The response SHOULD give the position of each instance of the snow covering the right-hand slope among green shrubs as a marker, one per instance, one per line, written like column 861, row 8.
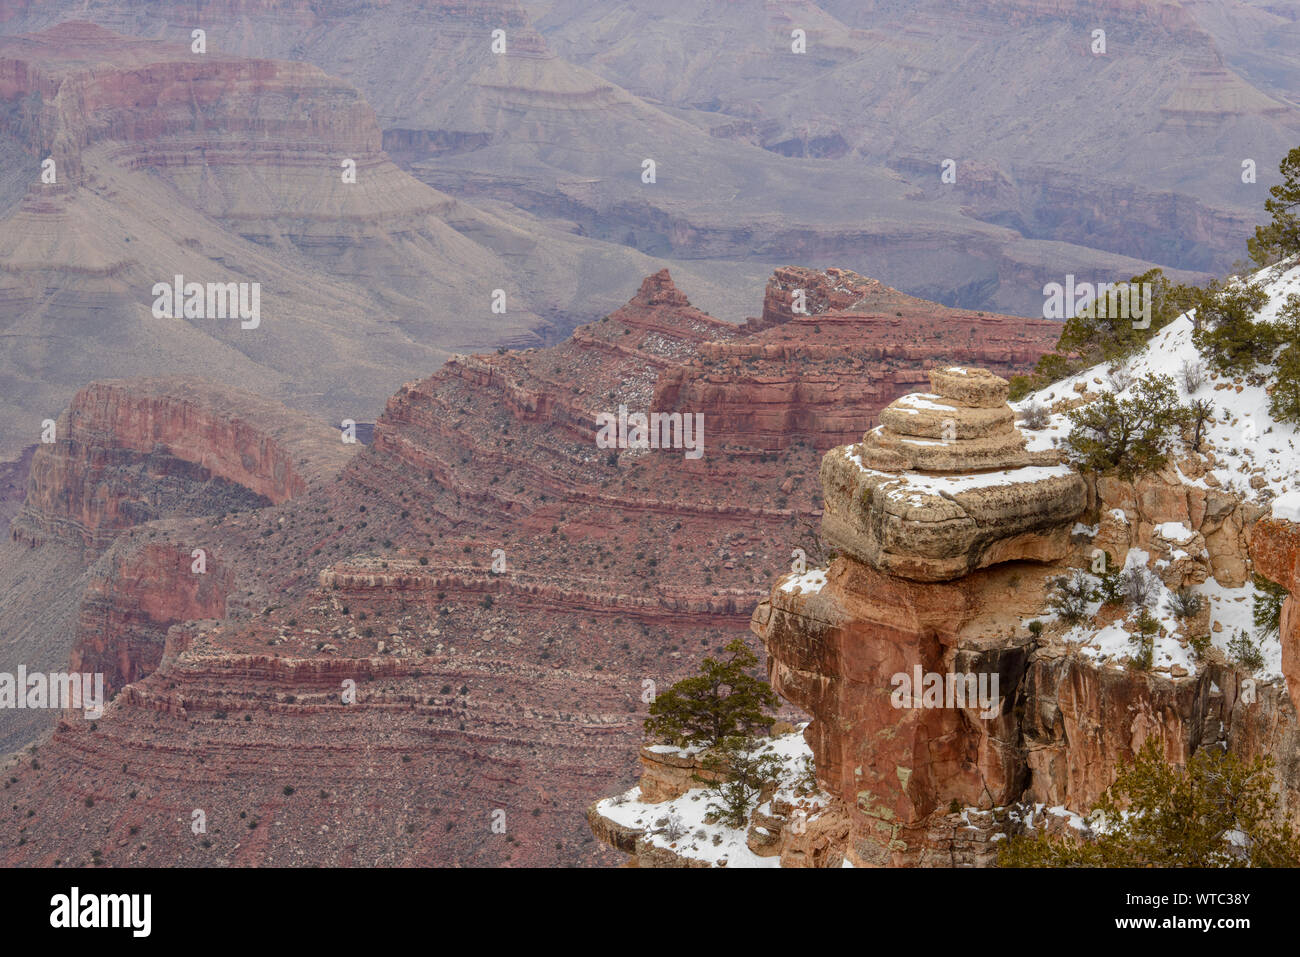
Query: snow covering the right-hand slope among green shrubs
column 1243, row 438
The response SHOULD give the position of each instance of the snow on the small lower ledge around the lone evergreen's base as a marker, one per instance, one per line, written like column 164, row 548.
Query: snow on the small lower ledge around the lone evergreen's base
column 716, row 843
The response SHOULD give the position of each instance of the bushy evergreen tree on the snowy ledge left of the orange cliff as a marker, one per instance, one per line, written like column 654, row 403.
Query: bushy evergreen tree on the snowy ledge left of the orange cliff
column 723, row 701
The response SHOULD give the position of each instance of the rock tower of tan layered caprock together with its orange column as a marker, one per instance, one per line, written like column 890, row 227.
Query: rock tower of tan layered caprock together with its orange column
column 905, row 600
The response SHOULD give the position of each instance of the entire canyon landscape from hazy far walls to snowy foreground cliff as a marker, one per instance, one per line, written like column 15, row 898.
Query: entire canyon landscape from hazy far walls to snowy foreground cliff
column 437, row 646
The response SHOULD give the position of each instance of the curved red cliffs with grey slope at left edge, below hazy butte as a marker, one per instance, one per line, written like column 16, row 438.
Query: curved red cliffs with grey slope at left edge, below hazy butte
column 76, row 579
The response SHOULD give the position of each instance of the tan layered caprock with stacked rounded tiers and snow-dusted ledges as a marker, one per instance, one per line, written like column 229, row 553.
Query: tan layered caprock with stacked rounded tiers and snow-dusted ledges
column 946, row 486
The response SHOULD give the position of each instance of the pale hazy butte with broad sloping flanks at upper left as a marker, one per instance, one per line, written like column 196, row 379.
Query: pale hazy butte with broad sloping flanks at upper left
column 129, row 162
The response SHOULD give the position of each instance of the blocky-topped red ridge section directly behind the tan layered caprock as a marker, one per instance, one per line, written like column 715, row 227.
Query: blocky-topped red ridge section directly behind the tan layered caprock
column 825, row 378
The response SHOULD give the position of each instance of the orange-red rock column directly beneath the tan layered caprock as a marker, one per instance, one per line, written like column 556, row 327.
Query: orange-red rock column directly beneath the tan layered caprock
column 835, row 653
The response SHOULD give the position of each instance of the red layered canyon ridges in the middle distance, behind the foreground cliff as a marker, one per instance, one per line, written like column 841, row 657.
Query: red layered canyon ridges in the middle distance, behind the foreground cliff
column 392, row 643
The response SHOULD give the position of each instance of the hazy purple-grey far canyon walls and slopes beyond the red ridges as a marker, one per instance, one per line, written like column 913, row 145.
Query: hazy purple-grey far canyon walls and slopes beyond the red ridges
column 476, row 174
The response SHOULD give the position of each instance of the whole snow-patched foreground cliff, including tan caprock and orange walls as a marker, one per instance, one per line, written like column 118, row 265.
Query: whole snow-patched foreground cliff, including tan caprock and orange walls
column 954, row 699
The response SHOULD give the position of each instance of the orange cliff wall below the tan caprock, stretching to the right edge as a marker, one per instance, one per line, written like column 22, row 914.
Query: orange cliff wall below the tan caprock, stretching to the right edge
column 1063, row 721
